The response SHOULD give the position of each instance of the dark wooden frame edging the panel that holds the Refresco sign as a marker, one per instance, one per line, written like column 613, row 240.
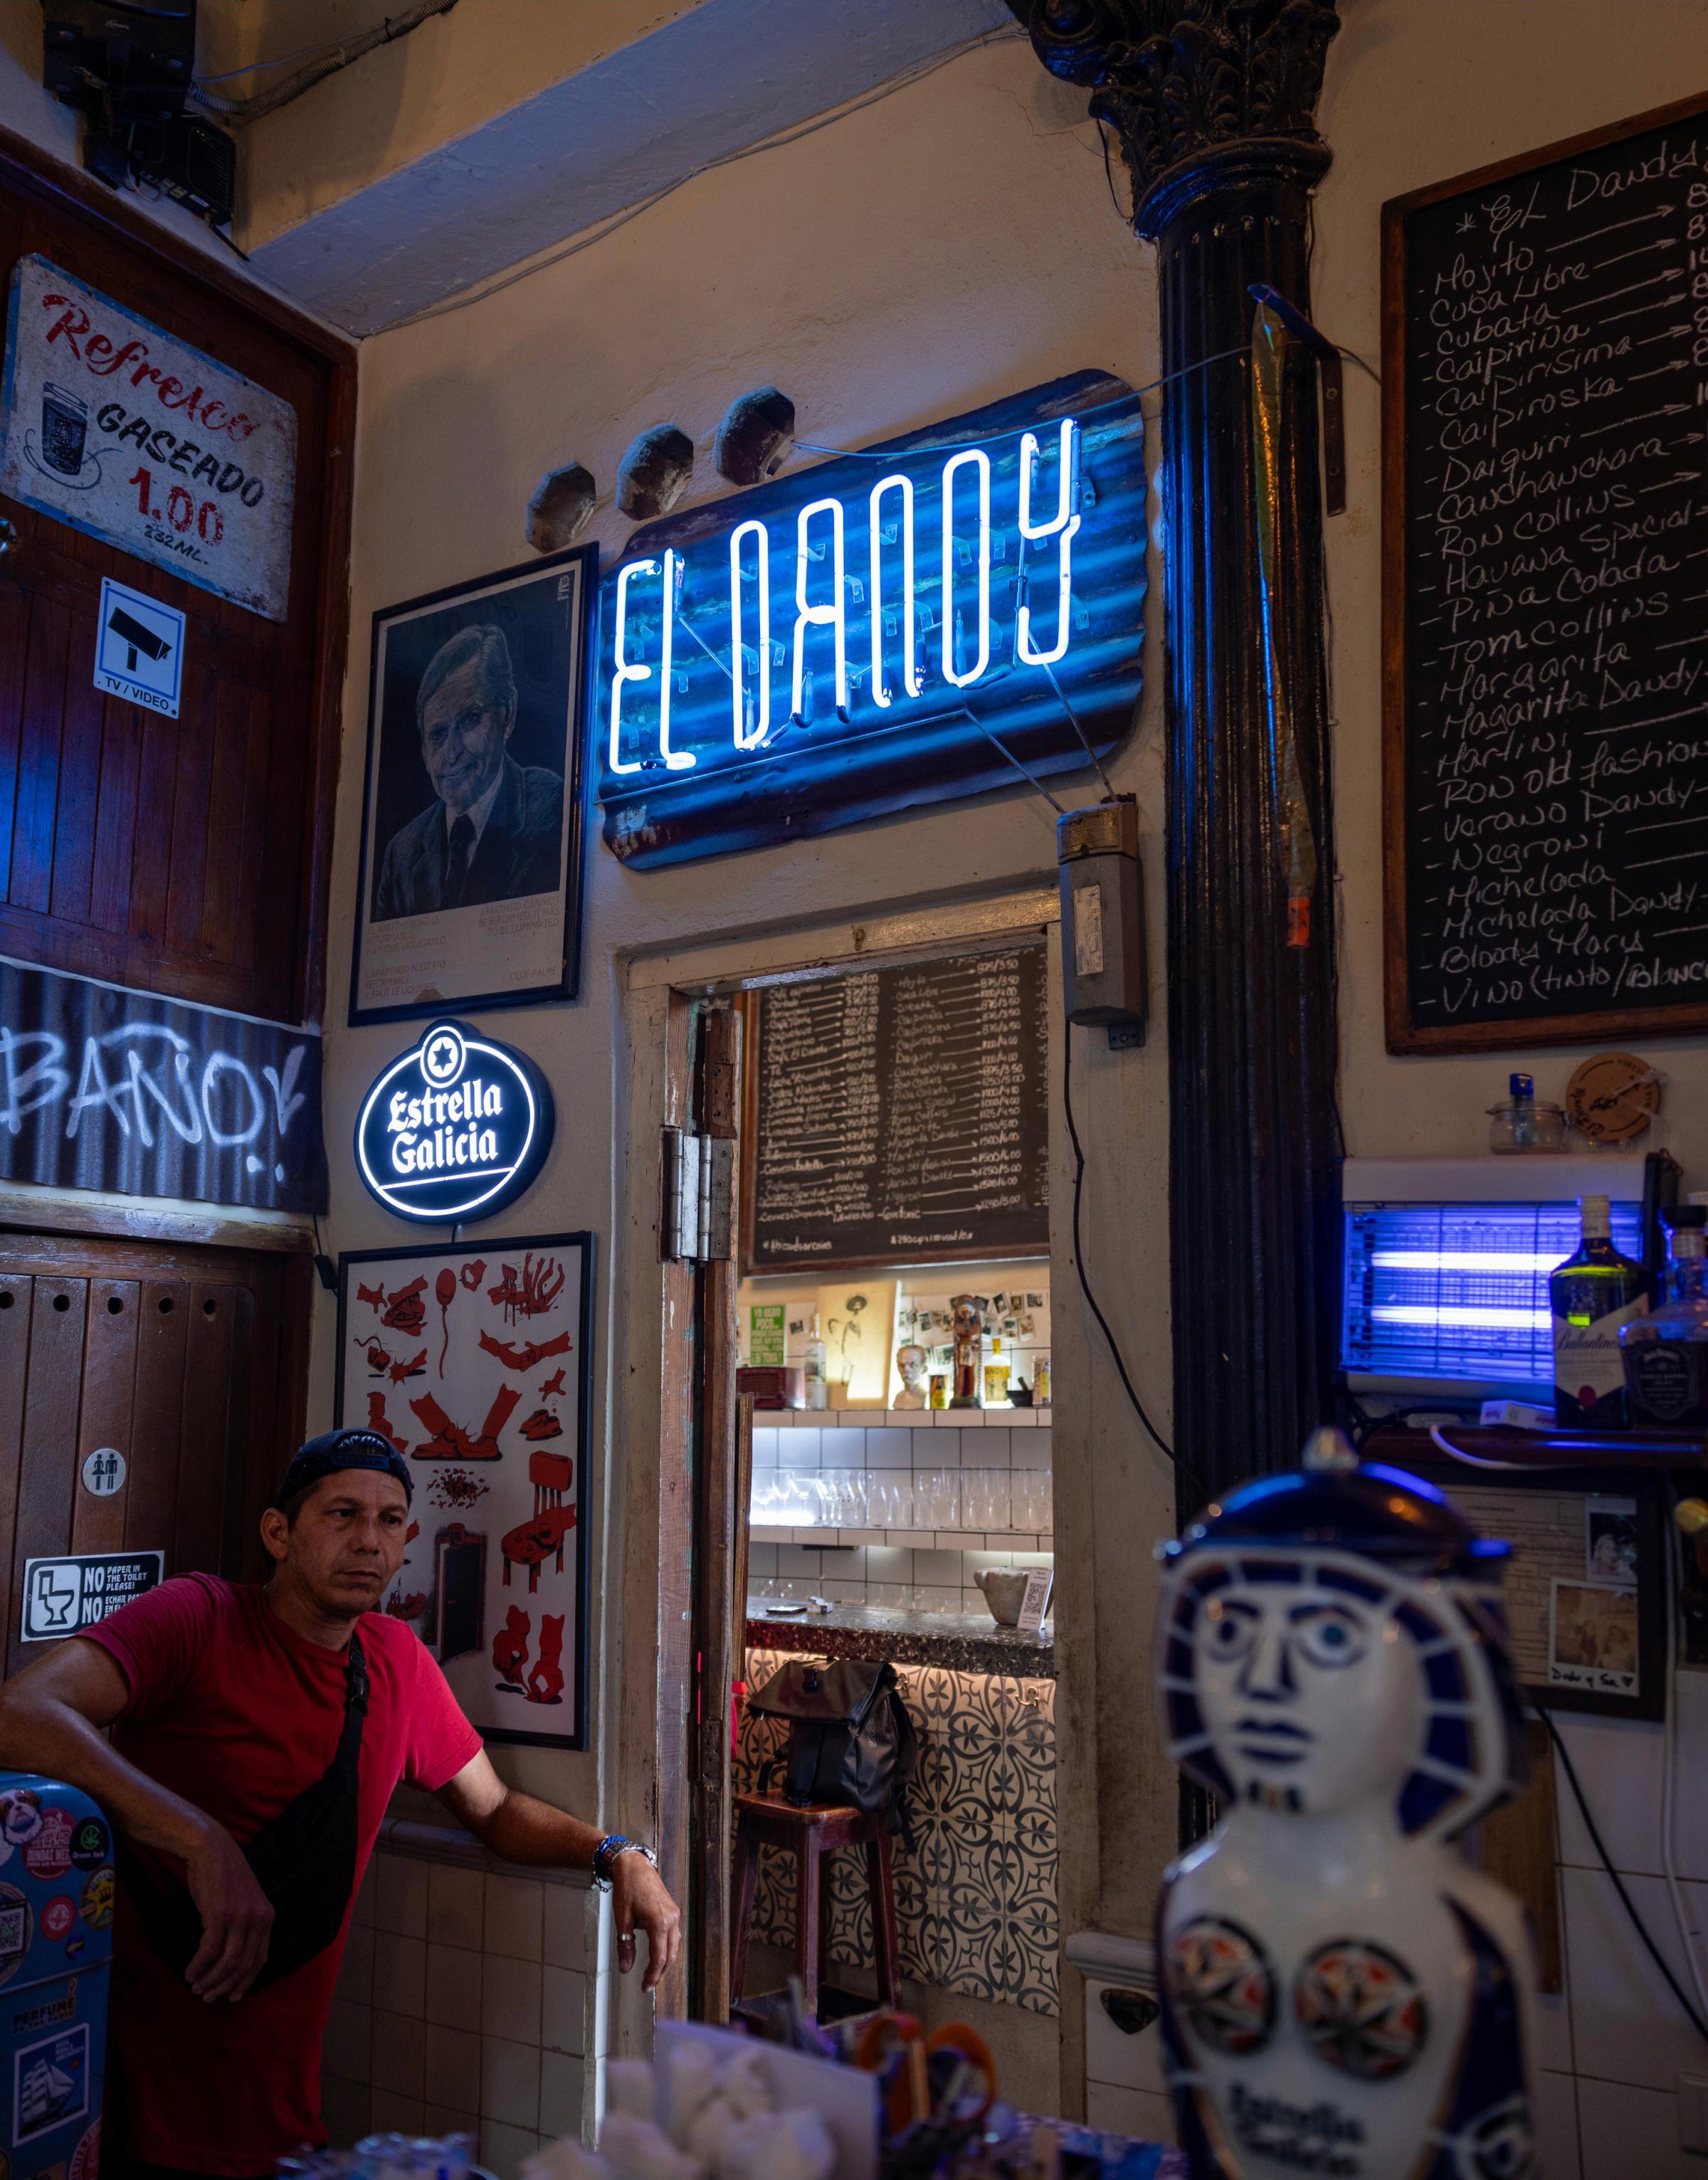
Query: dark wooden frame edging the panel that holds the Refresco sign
column 47, row 182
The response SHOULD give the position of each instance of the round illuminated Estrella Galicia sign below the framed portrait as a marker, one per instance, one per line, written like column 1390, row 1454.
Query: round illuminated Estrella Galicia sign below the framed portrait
column 456, row 1128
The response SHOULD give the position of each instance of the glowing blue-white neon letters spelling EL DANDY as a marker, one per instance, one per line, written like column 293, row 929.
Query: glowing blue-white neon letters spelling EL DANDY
column 881, row 581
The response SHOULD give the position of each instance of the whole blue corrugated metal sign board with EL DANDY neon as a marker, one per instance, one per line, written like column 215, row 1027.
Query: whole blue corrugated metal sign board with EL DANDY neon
column 879, row 631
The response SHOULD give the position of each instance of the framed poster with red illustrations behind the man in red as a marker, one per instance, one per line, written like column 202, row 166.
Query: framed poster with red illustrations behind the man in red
column 474, row 1361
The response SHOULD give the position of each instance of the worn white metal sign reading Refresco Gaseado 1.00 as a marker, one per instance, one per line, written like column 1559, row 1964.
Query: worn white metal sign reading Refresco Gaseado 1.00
column 143, row 441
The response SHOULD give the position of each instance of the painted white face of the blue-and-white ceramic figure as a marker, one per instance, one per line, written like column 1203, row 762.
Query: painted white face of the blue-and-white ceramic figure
column 1313, row 1699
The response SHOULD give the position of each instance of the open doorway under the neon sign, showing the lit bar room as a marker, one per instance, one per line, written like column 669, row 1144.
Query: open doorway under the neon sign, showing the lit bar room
column 879, row 1521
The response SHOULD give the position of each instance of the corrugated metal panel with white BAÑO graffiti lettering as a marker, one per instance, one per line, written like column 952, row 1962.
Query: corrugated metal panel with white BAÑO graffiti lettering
column 154, row 1098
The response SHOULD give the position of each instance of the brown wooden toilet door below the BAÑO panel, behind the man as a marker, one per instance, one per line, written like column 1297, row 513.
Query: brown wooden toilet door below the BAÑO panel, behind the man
column 186, row 1361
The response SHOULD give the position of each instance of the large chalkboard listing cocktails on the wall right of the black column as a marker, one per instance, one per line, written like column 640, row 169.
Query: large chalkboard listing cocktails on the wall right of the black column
column 1546, row 594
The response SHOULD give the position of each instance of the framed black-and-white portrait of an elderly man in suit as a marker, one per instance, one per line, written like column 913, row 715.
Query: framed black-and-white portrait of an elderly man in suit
column 474, row 812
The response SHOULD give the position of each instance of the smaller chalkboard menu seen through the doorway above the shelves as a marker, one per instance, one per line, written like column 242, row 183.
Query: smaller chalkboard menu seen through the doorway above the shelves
column 901, row 1117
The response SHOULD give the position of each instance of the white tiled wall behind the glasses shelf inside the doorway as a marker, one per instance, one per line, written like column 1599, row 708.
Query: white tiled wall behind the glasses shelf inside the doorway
column 899, row 1566
